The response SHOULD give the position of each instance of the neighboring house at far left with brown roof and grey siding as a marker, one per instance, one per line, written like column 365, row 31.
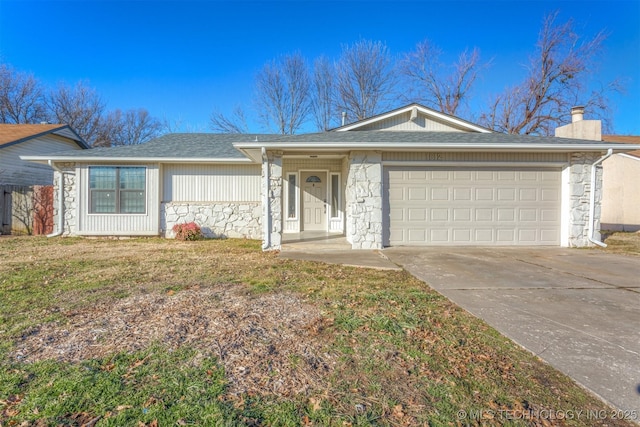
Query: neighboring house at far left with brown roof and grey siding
column 33, row 140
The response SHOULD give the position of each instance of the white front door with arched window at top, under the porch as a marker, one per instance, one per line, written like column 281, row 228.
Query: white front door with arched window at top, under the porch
column 314, row 201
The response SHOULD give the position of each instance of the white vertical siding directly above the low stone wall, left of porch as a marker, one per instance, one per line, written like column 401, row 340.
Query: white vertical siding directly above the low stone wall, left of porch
column 211, row 183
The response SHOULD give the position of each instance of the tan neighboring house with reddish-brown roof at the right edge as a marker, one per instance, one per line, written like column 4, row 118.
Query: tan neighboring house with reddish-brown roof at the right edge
column 621, row 181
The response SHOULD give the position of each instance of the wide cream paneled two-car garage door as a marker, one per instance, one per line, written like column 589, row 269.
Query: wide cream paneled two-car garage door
column 435, row 206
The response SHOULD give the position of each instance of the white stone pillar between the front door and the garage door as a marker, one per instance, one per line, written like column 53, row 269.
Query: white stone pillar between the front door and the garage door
column 364, row 200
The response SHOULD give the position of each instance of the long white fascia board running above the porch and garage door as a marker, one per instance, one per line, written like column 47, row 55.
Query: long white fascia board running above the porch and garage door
column 516, row 147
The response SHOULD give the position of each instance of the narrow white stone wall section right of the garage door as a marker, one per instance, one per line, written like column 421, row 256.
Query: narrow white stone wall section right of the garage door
column 579, row 193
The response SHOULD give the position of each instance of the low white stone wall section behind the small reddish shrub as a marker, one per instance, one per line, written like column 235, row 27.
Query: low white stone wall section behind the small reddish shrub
column 216, row 220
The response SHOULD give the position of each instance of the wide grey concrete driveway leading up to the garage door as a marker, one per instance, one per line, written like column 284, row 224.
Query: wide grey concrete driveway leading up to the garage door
column 577, row 309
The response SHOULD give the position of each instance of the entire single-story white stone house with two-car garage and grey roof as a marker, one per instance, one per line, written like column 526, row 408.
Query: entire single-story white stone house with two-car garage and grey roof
column 412, row 176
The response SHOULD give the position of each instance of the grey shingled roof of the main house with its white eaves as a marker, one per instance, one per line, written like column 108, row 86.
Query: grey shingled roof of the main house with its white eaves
column 202, row 147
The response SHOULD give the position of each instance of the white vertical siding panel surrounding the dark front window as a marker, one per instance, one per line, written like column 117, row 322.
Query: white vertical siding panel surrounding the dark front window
column 118, row 224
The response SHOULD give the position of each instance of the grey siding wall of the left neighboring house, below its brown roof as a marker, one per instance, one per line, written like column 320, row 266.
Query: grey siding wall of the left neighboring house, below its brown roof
column 15, row 171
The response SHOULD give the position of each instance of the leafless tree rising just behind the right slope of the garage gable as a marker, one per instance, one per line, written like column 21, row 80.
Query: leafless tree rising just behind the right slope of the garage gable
column 435, row 84
